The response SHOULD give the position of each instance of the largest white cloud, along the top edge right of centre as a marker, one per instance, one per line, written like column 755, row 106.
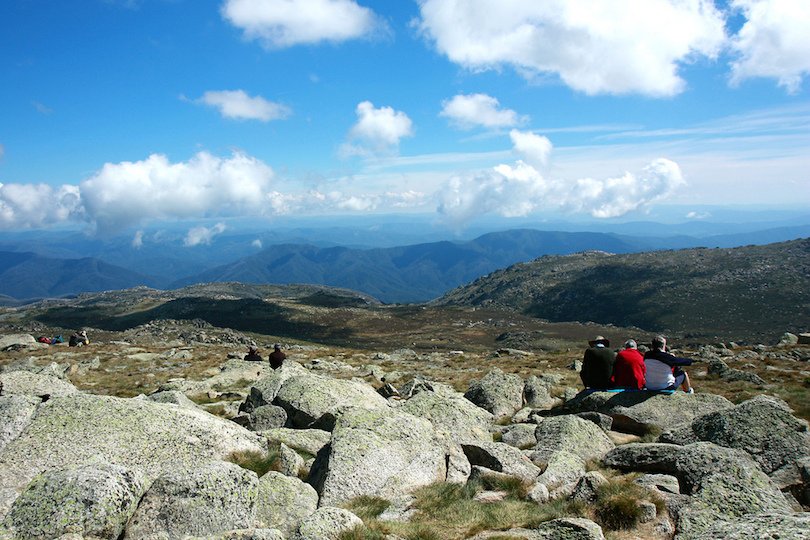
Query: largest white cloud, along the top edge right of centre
column 617, row 47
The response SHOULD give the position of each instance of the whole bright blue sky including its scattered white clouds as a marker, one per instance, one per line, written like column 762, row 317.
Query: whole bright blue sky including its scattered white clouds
column 119, row 113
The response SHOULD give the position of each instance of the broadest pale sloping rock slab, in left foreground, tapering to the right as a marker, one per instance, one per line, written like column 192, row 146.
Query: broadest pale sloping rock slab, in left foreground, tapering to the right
column 81, row 429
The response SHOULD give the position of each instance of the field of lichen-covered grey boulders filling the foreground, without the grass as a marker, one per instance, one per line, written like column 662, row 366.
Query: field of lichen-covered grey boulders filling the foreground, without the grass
column 78, row 466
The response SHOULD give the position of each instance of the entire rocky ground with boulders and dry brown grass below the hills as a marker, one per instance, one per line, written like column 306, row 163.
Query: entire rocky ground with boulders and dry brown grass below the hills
column 163, row 431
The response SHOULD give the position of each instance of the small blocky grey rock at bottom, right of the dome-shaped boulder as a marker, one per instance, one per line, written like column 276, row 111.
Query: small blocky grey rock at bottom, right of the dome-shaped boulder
column 283, row 502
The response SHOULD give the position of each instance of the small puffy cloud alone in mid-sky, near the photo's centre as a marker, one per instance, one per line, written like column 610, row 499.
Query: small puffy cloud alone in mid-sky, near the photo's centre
column 377, row 130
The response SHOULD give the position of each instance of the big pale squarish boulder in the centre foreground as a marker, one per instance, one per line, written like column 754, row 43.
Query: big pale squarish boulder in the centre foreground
column 378, row 452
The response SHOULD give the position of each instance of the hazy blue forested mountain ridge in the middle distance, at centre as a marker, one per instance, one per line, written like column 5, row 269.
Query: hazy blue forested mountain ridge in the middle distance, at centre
column 408, row 273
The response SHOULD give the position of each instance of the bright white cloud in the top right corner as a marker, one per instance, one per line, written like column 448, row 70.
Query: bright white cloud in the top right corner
column 774, row 42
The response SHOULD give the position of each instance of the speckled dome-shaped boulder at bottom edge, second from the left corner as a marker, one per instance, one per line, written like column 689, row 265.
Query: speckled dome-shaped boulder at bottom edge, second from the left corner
column 208, row 498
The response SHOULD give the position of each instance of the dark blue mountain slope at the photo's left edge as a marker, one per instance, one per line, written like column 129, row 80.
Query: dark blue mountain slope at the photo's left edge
column 26, row 275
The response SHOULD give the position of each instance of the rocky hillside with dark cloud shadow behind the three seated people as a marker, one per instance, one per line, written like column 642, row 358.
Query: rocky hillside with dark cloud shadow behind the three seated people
column 754, row 291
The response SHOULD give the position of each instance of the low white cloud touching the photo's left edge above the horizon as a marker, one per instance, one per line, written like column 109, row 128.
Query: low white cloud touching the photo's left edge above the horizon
column 38, row 205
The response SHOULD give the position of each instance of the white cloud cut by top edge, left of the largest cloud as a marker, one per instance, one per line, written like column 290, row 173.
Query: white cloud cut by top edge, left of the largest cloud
column 284, row 23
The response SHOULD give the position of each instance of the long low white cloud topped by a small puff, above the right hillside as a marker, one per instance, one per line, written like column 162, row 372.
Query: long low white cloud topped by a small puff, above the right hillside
column 519, row 189
